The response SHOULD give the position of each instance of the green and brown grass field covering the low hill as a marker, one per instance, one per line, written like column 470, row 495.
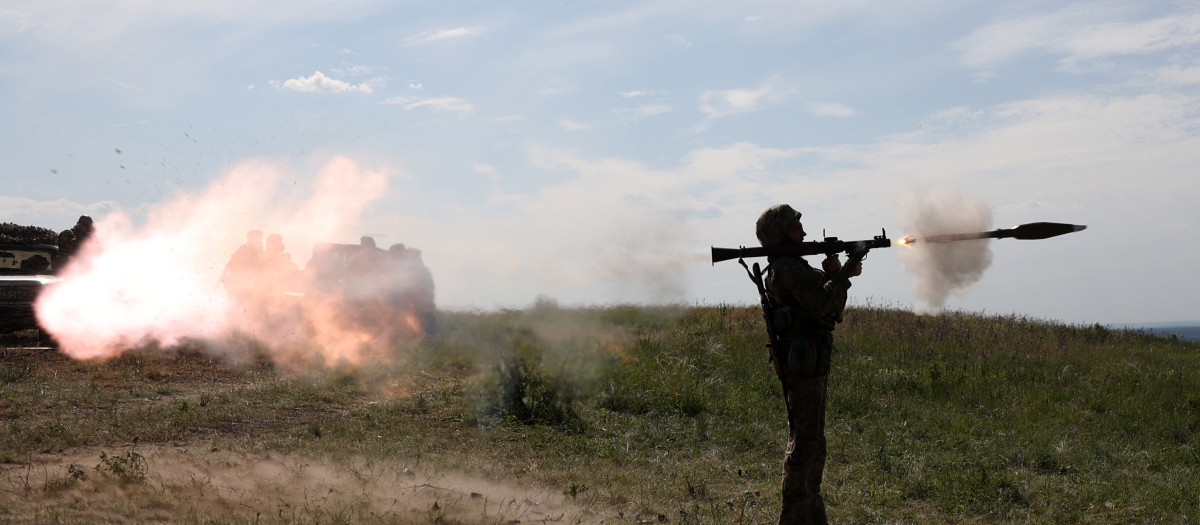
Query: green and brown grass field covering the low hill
column 616, row 415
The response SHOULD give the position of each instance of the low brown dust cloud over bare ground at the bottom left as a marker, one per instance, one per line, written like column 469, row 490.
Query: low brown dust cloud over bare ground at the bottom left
column 182, row 484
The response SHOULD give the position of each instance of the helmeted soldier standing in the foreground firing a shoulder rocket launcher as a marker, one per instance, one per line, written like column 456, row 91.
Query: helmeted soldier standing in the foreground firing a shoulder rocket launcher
column 809, row 304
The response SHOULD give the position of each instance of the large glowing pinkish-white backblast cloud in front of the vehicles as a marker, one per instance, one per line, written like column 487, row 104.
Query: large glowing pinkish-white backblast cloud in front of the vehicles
column 159, row 283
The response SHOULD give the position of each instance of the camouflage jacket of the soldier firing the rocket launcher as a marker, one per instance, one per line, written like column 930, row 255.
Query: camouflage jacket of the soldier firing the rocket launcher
column 806, row 300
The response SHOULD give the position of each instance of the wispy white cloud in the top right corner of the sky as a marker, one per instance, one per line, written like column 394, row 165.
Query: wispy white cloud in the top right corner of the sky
column 1079, row 34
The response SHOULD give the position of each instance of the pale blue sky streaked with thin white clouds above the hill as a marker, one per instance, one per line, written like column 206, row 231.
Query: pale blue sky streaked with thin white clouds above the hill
column 592, row 153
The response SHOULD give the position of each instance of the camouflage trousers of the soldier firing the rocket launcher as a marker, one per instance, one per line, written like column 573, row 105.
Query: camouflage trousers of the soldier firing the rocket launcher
column 805, row 461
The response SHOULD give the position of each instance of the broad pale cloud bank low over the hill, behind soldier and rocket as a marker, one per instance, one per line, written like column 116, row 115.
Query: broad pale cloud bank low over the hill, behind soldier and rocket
column 1109, row 162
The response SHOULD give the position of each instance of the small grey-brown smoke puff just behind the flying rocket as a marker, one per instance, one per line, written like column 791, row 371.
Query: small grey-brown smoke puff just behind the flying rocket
column 943, row 269
